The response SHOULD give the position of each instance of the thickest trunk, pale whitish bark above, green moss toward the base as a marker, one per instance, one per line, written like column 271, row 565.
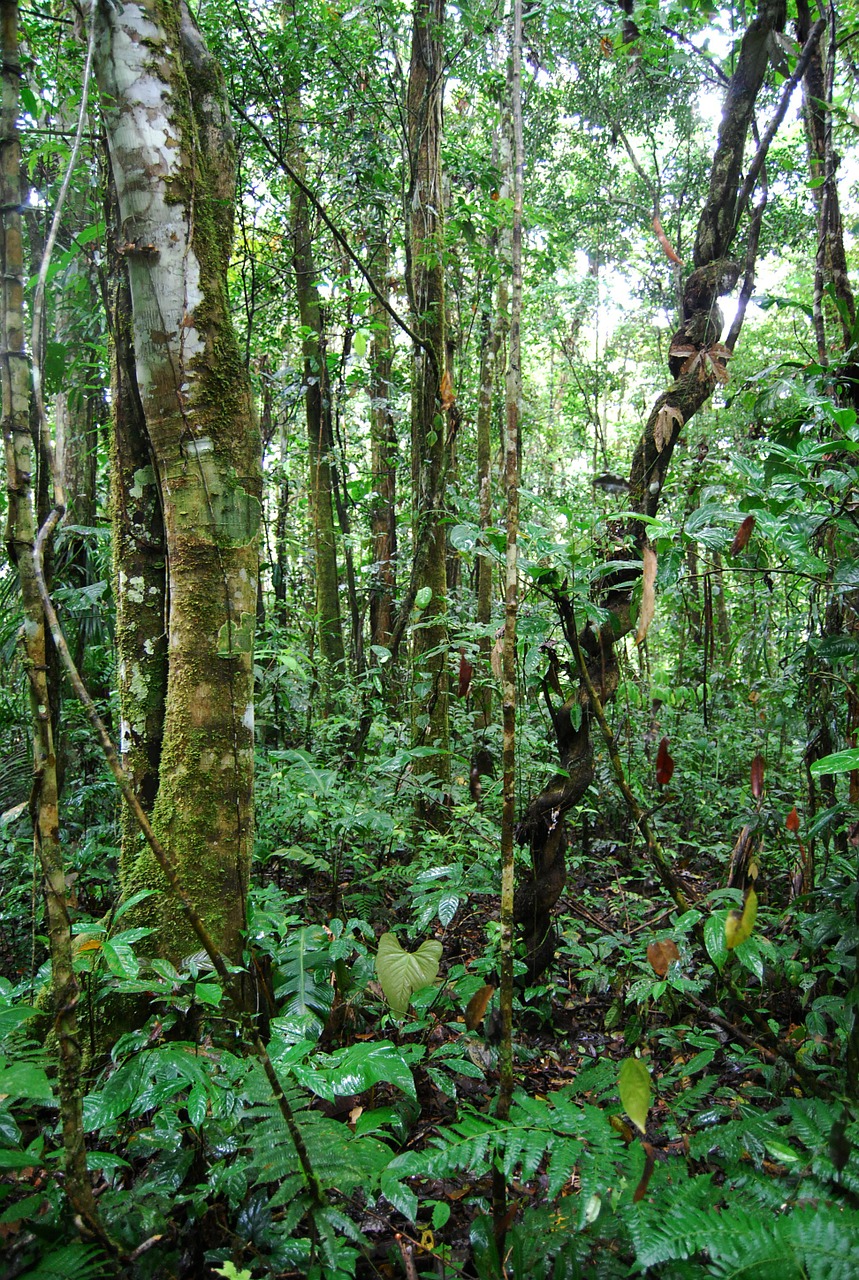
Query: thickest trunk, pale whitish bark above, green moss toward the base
column 172, row 158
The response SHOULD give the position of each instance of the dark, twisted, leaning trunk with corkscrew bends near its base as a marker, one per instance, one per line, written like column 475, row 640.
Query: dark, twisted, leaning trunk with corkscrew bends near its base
column 543, row 825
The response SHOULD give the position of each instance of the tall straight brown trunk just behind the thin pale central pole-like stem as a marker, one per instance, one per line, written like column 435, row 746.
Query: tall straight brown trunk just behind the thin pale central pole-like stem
column 429, row 400
